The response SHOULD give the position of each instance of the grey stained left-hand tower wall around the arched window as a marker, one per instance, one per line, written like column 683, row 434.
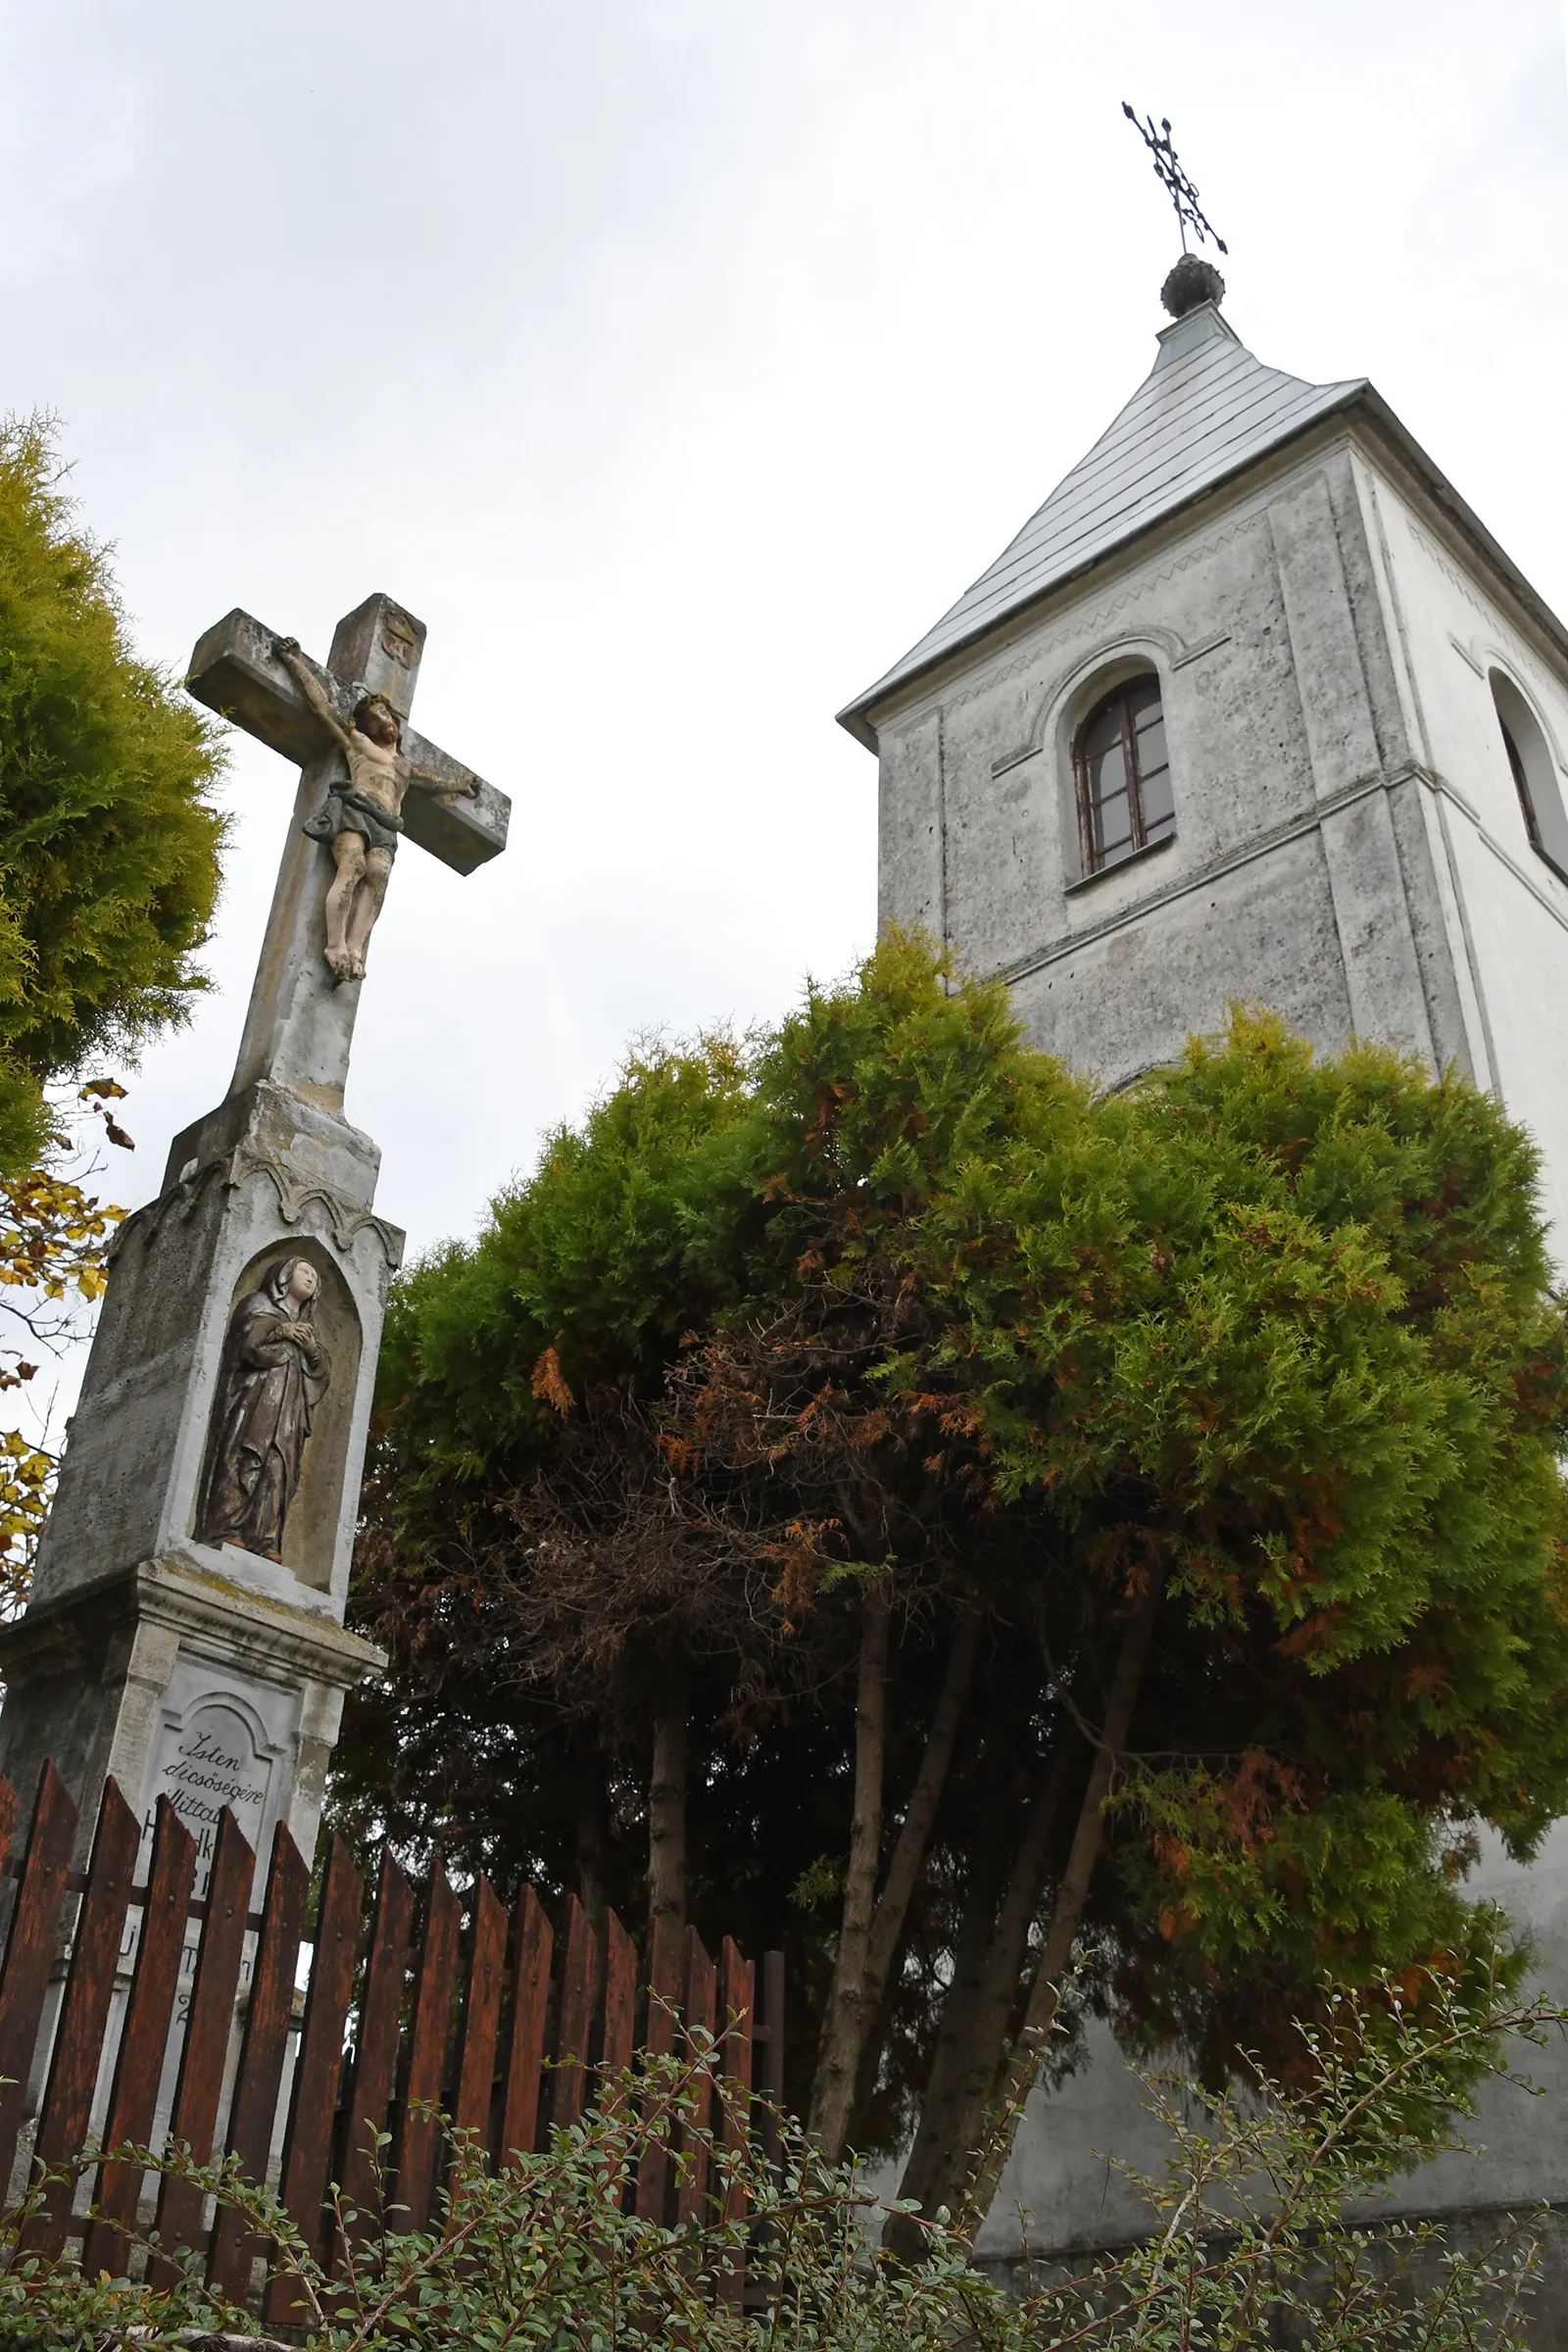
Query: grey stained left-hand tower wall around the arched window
column 1301, row 874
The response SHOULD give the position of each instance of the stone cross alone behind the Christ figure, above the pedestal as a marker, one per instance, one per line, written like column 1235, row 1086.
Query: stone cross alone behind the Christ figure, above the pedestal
column 300, row 1022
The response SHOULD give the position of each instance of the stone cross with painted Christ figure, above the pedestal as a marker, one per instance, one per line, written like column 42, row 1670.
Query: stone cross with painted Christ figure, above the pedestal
column 366, row 782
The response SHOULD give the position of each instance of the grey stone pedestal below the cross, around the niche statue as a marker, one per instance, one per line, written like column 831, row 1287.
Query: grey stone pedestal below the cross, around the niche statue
column 201, row 1671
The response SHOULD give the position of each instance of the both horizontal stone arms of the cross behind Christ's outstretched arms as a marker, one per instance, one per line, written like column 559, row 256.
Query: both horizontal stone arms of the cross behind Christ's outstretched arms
column 236, row 674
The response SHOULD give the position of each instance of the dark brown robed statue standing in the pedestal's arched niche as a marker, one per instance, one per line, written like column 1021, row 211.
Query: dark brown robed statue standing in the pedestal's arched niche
column 272, row 1384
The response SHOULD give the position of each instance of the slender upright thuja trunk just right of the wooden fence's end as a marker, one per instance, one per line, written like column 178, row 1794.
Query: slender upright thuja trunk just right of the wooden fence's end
column 847, row 2010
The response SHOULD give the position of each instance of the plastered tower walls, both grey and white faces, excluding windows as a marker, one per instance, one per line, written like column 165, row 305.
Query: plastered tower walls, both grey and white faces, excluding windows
column 1348, row 850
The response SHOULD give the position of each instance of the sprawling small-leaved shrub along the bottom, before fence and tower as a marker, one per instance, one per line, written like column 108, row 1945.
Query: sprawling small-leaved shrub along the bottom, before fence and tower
column 1254, row 2236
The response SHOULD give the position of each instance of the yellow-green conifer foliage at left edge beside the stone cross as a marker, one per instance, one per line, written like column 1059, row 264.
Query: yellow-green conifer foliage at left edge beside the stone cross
column 107, row 846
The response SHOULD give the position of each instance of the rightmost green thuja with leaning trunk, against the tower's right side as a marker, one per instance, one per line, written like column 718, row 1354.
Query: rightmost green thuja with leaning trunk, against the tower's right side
column 1294, row 1384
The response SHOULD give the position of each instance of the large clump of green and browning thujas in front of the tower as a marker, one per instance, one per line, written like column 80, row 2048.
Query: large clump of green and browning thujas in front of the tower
column 991, row 1530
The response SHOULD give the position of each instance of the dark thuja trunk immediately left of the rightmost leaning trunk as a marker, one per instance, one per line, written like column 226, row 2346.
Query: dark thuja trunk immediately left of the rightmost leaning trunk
column 970, row 2054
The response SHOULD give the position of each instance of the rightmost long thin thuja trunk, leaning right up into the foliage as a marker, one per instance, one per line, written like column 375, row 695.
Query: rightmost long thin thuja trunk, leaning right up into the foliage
column 1066, row 1920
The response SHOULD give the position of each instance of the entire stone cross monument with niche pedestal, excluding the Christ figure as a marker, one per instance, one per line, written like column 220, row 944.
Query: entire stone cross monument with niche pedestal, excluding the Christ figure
column 187, row 1622
